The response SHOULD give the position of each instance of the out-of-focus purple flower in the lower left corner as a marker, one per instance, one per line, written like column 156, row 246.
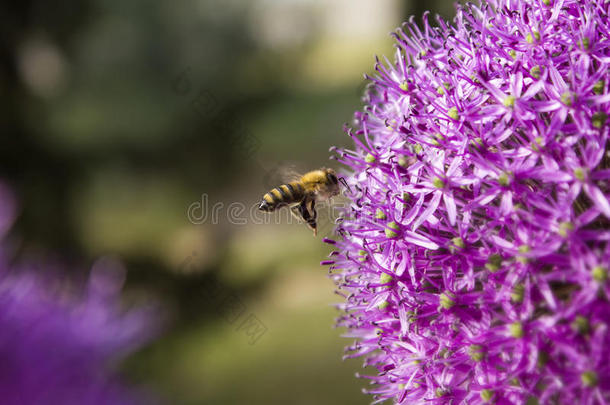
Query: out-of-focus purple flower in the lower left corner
column 59, row 348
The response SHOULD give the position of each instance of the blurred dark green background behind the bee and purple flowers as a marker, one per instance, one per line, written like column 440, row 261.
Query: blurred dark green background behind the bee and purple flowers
column 117, row 116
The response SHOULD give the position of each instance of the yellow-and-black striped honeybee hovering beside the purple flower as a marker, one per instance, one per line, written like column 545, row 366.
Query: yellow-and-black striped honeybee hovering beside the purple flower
column 301, row 195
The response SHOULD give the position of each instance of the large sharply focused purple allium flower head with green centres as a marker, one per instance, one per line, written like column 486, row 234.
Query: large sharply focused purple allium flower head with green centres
column 474, row 259
